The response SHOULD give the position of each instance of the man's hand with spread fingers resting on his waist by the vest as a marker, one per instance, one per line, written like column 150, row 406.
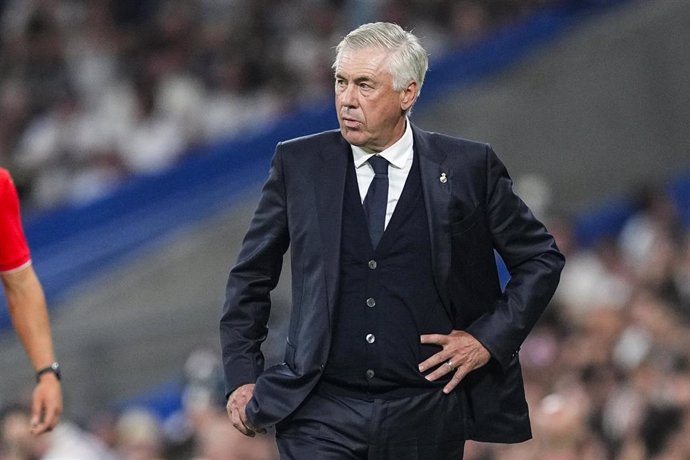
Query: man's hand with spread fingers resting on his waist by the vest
column 461, row 353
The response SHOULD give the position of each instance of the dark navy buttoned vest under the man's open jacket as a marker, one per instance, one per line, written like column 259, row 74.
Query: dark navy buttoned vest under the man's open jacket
column 387, row 299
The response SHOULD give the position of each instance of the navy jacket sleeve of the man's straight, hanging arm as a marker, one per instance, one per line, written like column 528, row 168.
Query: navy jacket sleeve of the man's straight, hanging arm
column 243, row 324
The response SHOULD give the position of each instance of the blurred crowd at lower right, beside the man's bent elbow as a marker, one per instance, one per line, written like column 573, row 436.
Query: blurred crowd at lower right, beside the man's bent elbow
column 608, row 367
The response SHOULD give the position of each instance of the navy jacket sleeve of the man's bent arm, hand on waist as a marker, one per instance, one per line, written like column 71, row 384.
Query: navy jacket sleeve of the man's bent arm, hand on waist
column 532, row 259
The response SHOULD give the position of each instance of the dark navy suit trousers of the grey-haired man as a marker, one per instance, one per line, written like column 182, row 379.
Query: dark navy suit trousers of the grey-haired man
column 329, row 426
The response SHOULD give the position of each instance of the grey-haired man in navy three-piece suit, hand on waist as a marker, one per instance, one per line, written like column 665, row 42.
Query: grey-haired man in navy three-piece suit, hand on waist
column 401, row 343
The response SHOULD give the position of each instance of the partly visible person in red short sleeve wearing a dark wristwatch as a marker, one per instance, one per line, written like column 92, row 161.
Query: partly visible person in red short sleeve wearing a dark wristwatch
column 27, row 307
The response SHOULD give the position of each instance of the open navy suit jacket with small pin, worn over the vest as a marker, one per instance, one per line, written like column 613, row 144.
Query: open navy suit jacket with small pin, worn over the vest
column 472, row 211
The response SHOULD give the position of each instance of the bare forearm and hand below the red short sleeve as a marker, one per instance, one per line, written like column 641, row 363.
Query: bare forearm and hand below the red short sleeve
column 27, row 307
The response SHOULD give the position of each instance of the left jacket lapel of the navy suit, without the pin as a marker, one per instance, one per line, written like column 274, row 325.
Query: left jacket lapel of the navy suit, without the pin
column 329, row 188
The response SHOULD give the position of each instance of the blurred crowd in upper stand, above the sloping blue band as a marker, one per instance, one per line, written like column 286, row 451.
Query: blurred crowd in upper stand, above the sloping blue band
column 93, row 91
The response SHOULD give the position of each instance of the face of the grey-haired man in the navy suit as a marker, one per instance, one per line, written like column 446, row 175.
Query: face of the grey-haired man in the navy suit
column 370, row 112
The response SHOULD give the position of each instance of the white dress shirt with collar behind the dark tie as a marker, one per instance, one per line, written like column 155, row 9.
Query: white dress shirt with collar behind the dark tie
column 399, row 156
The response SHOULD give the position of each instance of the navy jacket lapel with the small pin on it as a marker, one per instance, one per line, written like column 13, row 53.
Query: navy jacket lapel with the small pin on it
column 436, row 180
